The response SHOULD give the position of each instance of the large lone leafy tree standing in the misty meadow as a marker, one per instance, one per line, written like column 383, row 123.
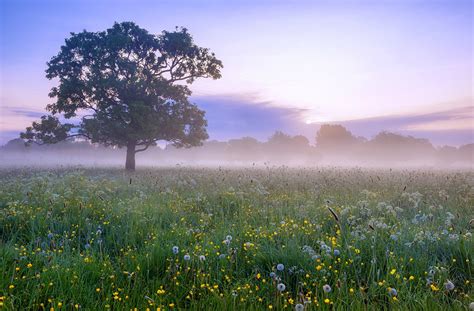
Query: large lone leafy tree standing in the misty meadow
column 129, row 88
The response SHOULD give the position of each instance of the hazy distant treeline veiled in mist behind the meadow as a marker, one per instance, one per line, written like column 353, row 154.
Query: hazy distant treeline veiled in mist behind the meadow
column 333, row 145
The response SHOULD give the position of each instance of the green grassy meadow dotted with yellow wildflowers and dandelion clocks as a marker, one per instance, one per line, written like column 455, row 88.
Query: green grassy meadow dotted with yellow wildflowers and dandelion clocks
column 239, row 239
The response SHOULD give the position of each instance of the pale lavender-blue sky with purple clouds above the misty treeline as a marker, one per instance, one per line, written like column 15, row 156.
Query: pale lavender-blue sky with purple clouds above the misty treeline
column 404, row 66
